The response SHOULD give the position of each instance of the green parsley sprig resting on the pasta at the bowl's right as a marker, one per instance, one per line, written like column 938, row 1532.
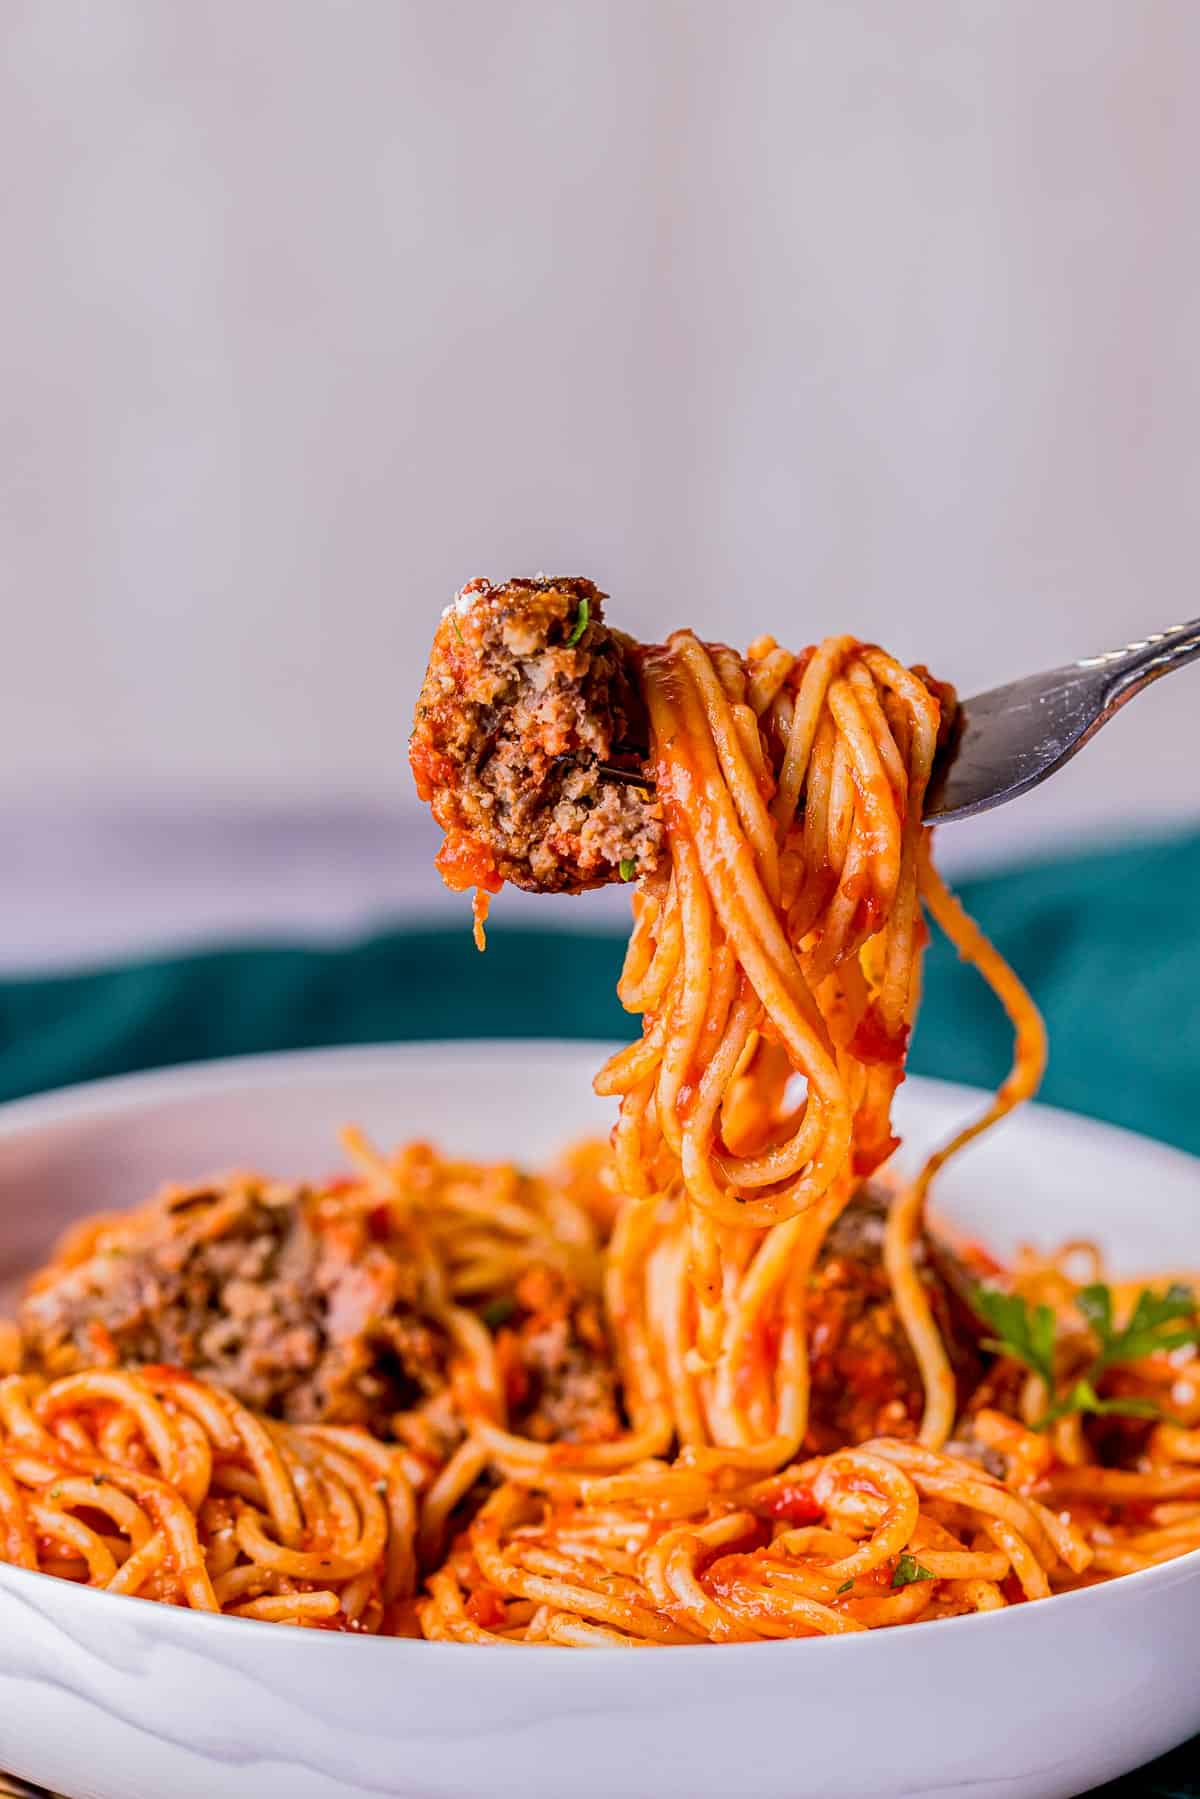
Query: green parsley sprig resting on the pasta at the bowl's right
column 1026, row 1334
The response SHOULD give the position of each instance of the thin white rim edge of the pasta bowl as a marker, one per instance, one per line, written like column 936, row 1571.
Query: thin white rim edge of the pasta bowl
column 120, row 1095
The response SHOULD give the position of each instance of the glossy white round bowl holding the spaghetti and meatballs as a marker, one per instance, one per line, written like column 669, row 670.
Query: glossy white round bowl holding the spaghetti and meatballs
column 120, row 1699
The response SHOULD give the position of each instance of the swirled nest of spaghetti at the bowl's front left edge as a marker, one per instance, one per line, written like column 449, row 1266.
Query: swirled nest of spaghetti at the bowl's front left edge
column 161, row 1487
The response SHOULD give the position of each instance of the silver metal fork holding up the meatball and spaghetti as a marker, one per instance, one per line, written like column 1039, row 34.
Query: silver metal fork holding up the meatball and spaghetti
column 1014, row 738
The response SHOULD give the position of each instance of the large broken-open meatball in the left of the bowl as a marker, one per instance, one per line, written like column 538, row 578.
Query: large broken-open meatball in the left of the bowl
column 282, row 1296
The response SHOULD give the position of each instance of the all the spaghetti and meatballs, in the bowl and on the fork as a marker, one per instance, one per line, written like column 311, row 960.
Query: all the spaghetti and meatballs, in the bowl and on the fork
column 582, row 1410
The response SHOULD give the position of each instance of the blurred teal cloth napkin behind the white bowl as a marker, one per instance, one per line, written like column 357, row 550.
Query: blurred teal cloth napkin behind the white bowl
column 1109, row 944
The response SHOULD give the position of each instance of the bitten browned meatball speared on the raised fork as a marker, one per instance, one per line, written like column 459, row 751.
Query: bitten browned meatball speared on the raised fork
column 528, row 719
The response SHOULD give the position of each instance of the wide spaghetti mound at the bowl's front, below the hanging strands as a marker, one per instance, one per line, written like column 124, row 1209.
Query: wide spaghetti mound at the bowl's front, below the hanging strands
column 890, row 1534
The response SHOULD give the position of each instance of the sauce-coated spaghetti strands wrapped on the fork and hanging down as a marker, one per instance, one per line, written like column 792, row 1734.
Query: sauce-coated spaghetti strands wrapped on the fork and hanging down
column 784, row 944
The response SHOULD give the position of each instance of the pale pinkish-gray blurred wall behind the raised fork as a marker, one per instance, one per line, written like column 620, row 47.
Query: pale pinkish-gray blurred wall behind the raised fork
column 771, row 316
